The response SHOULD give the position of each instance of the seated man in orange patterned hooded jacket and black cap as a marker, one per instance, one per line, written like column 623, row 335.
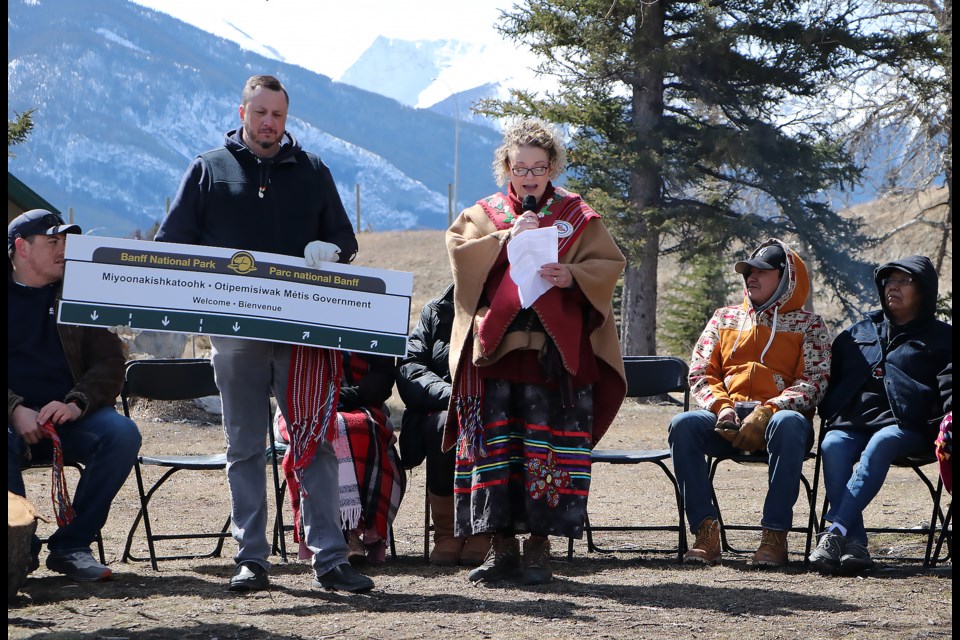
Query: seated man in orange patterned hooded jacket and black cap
column 758, row 371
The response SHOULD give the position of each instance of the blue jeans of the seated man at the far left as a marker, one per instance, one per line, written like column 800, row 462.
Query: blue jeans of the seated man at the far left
column 106, row 443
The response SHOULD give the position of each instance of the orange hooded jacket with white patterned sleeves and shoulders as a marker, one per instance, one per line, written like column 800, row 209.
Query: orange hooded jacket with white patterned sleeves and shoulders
column 779, row 356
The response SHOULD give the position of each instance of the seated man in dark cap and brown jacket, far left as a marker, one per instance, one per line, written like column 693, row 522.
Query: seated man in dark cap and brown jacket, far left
column 62, row 381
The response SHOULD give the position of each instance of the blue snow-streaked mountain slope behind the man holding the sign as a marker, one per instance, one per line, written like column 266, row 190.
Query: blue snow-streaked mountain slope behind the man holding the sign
column 125, row 97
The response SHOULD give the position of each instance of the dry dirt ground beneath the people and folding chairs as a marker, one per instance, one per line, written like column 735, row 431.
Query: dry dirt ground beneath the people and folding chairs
column 597, row 595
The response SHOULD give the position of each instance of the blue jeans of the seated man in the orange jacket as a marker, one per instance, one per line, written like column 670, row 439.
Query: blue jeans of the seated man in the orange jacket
column 692, row 438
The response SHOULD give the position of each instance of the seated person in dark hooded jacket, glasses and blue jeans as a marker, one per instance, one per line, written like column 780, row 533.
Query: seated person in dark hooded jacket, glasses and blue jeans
column 889, row 387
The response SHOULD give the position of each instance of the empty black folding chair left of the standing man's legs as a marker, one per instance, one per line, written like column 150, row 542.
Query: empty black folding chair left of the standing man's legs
column 177, row 379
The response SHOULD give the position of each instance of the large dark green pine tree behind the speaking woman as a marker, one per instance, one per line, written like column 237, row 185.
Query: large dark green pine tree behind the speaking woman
column 689, row 130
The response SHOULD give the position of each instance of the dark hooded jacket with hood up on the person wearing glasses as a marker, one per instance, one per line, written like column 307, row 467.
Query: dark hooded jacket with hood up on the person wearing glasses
column 884, row 374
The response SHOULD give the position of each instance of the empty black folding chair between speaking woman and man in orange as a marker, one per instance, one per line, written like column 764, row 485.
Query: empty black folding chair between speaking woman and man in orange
column 646, row 376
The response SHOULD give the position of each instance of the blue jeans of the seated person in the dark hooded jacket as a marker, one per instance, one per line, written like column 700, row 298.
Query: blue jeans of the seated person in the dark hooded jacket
column 855, row 464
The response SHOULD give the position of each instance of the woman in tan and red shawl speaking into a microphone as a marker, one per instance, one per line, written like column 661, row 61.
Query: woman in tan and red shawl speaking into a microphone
column 535, row 384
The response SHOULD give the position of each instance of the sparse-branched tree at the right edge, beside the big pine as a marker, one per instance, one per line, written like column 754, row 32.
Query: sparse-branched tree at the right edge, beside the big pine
column 901, row 108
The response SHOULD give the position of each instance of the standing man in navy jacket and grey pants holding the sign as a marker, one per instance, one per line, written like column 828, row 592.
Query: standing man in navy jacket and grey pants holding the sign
column 262, row 192
